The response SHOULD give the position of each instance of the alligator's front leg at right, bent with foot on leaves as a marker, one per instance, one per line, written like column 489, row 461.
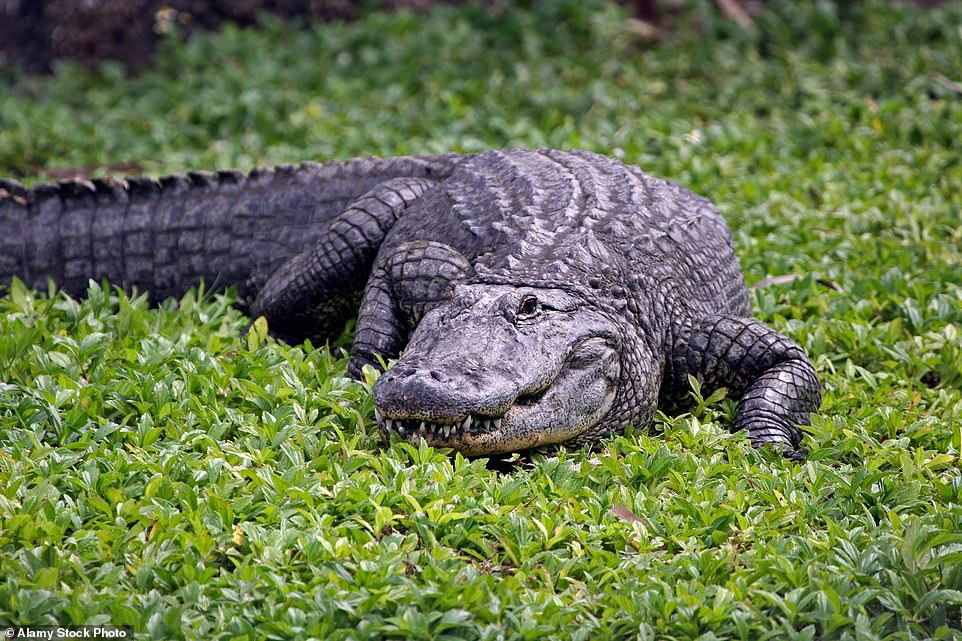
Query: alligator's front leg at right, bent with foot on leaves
column 770, row 376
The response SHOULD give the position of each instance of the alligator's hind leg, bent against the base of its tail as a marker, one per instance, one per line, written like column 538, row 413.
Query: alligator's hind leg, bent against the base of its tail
column 314, row 294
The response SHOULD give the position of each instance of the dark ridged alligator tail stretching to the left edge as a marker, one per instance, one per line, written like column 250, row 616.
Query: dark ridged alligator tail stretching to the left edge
column 164, row 236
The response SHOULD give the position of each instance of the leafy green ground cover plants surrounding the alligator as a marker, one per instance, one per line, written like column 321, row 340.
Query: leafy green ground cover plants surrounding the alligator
column 160, row 468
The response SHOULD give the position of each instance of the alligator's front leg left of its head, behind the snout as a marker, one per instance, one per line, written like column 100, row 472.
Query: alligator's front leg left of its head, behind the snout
column 406, row 284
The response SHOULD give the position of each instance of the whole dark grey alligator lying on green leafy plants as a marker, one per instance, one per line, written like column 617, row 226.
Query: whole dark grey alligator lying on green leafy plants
column 532, row 298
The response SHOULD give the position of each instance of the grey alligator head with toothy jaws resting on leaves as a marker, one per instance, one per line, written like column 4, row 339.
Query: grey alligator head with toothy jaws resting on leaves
column 501, row 369
